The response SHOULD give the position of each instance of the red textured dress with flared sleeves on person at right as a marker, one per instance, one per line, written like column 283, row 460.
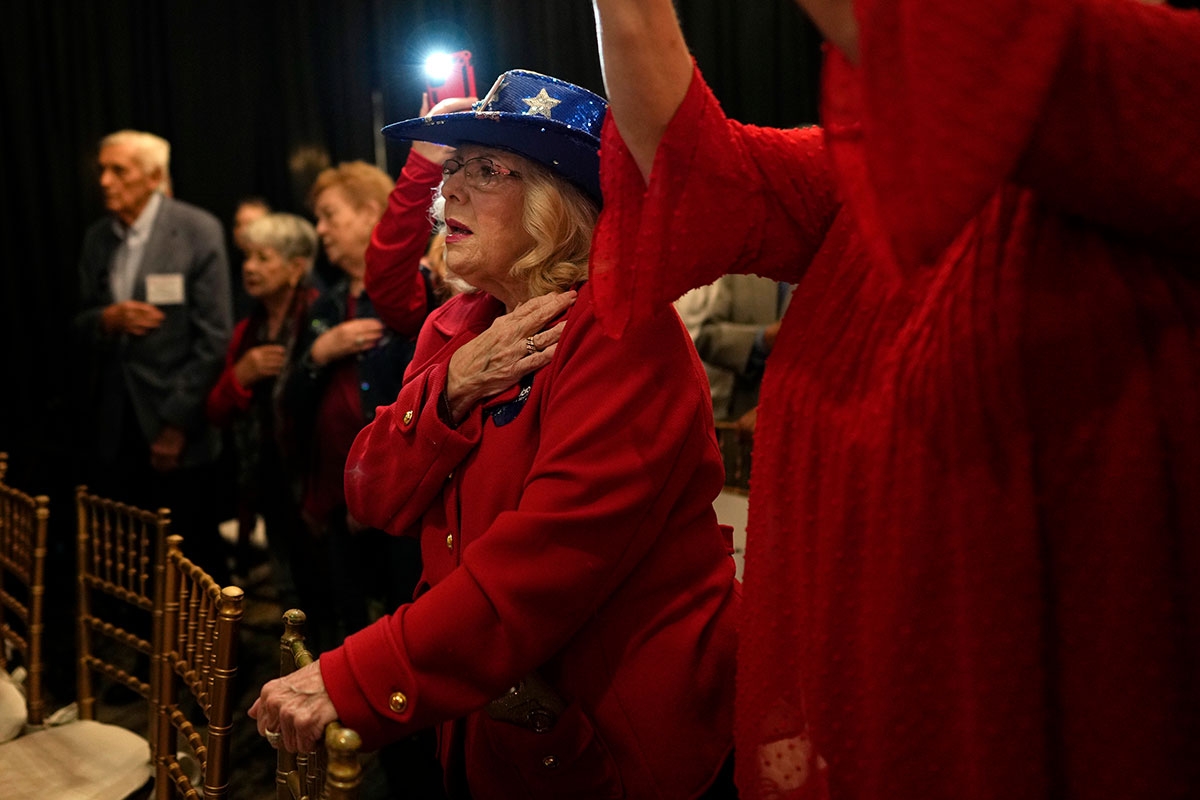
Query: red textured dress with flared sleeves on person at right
column 974, row 556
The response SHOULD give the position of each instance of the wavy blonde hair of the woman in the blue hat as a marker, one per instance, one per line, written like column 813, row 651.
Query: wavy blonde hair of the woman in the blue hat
column 560, row 218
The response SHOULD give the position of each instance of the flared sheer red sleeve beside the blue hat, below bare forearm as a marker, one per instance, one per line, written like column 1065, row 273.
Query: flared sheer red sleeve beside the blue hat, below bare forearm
column 723, row 197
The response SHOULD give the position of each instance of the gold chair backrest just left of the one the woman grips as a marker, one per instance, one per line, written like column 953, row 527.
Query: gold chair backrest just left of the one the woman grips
column 197, row 664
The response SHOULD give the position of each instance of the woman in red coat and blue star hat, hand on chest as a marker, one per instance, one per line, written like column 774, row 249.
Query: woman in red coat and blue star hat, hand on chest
column 561, row 484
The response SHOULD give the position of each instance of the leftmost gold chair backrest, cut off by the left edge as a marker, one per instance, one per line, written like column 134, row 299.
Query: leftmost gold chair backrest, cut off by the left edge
column 23, row 524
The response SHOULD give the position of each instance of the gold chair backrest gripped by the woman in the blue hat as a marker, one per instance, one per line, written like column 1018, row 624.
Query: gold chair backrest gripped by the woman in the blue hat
column 333, row 771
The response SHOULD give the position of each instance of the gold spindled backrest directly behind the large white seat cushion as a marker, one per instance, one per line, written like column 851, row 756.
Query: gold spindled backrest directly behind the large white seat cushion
column 119, row 555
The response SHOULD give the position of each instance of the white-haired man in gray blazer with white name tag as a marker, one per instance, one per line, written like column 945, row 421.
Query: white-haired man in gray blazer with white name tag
column 155, row 321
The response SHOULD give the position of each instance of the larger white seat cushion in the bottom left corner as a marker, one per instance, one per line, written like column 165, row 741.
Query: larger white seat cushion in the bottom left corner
column 79, row 761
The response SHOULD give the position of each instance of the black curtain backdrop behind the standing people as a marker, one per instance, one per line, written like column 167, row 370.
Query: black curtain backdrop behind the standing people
column 256, row 97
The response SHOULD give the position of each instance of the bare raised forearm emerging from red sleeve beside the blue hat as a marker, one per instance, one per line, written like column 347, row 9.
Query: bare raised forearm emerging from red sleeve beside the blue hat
column 647, row 70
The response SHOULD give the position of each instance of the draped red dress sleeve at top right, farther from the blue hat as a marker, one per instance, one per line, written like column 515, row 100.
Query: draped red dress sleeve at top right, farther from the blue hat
column 1089, row 103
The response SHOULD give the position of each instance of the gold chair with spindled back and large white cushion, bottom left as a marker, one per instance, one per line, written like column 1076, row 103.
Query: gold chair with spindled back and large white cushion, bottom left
column 116, row 572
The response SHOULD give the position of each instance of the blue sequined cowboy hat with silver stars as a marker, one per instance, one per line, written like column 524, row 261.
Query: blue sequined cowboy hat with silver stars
column 544, row 119
